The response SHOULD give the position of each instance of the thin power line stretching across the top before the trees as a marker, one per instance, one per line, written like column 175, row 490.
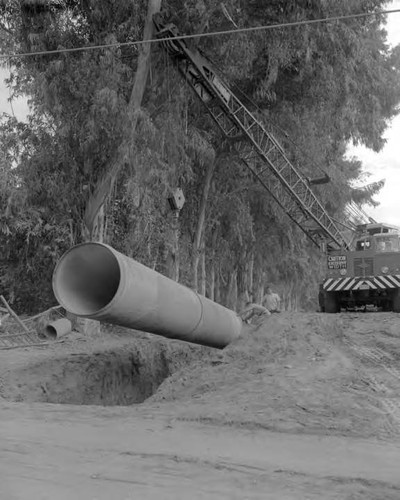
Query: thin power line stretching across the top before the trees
column 210, row 34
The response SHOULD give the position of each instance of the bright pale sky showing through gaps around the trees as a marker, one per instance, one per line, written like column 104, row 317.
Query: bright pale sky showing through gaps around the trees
column 382, row 165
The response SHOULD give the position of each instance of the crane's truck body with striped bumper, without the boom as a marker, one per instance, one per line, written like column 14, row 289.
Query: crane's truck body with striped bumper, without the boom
column 367, row 277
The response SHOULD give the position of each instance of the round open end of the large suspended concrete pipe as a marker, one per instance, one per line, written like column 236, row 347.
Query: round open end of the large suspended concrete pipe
column 86, row 279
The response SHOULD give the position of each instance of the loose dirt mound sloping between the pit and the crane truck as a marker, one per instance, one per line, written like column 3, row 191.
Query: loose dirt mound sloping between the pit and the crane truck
column 291, row 373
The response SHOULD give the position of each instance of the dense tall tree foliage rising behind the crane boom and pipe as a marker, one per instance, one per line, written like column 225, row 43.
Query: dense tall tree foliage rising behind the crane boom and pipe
column 316, row 86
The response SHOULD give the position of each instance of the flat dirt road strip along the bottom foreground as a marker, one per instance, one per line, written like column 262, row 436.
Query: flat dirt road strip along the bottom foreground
column 54, row 452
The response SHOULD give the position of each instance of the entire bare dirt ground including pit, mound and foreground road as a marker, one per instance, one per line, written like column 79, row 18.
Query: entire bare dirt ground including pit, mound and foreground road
column 303, row 406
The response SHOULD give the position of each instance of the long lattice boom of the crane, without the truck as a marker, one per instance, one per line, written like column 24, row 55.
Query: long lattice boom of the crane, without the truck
column 258, row 148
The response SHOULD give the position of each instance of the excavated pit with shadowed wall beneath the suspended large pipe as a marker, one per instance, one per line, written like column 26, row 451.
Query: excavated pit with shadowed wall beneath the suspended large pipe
column 117, row 375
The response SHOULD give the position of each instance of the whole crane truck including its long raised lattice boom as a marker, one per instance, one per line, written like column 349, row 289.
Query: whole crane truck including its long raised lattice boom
column 363, row 271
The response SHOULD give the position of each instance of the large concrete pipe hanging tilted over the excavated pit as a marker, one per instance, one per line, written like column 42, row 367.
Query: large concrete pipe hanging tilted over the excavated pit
column 95, row 281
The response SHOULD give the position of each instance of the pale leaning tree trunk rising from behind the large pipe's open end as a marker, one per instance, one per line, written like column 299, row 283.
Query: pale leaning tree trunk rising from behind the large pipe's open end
column 105, row 185
